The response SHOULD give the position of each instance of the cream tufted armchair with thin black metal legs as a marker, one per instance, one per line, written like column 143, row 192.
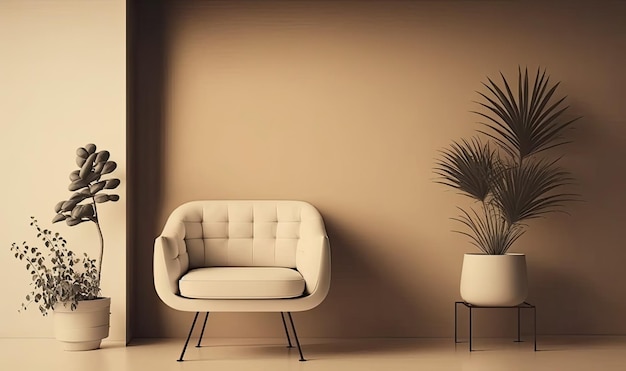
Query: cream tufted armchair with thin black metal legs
column 243, row 256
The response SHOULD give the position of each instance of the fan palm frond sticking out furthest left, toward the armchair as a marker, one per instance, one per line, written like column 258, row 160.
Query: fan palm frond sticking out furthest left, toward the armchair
column 468, row 166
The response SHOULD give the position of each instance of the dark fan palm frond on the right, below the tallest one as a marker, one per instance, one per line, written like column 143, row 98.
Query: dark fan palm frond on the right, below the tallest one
column 529, row 191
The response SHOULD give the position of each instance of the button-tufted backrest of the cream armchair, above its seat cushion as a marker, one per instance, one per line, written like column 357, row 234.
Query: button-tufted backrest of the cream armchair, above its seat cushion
column 244, row 233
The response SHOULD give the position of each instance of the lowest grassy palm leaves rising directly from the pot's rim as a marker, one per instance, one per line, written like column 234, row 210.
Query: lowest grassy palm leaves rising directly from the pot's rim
column 491, row 233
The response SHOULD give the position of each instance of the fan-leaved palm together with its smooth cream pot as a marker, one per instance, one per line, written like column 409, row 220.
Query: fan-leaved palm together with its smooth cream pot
column 507, row 171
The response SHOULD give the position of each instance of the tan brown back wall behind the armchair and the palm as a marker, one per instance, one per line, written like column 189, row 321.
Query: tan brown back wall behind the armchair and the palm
column 345, row 104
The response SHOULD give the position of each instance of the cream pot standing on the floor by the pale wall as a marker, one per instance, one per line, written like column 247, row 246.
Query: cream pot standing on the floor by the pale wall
column 84, row 327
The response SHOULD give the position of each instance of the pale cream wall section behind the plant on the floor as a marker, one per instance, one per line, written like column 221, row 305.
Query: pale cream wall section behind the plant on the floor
column 62, row 85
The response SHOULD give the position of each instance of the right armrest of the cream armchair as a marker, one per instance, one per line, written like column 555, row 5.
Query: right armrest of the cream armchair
column 313, row 262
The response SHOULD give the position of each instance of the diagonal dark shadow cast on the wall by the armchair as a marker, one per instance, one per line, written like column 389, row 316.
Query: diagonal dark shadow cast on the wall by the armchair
column 363, row 298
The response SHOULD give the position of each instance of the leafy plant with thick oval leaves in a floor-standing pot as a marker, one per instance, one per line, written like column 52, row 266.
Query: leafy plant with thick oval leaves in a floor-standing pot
column 64, row 282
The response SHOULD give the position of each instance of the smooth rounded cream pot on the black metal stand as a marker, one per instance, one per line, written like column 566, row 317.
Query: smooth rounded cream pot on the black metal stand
column 494, row 280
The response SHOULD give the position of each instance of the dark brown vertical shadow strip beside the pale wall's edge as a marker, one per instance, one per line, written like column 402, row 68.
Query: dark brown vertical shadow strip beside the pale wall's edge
column 146, row 84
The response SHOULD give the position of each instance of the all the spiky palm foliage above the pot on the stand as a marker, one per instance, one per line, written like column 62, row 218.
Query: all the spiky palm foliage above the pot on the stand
column 512, row 183
